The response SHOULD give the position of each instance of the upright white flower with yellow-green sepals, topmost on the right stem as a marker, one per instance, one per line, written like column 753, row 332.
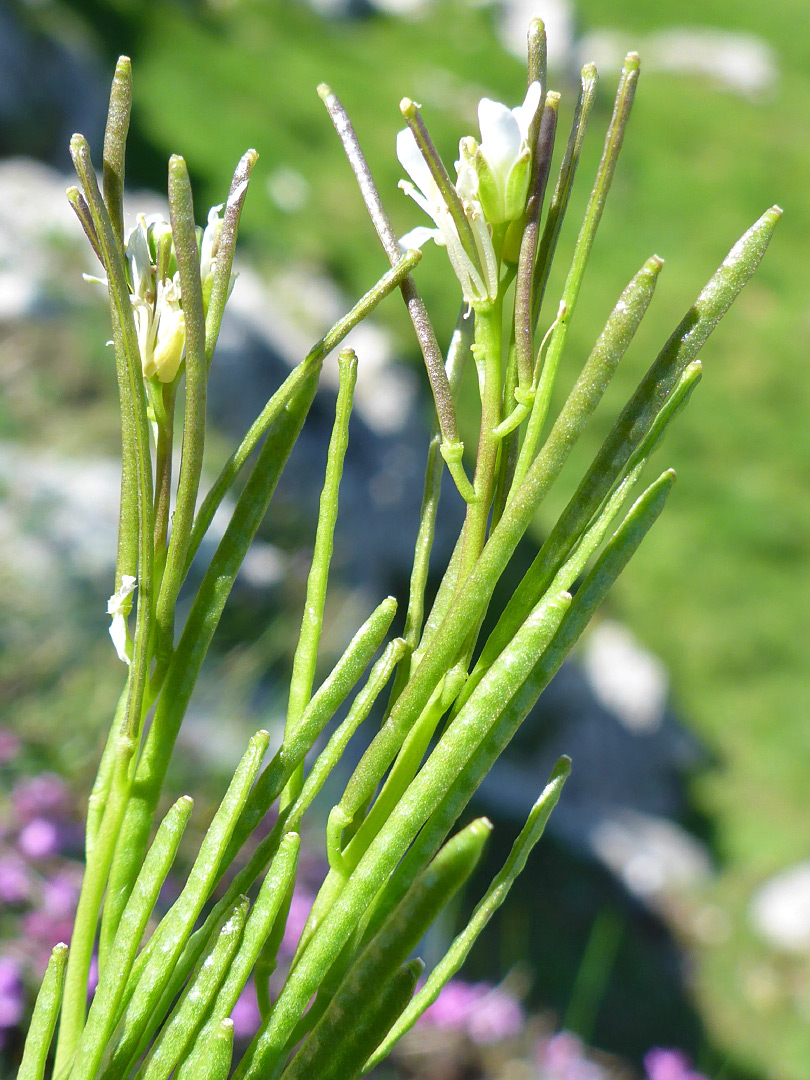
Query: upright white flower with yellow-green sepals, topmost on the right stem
column 497, row 171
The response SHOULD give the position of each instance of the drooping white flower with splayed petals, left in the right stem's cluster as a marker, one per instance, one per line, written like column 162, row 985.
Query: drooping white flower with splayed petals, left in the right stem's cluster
column 479, row 283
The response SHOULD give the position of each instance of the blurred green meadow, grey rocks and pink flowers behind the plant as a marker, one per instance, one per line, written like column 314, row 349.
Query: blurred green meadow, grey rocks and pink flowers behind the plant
column 670, row 907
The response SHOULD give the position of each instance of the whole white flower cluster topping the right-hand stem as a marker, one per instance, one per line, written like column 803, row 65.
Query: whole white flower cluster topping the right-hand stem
column 492, row 183
